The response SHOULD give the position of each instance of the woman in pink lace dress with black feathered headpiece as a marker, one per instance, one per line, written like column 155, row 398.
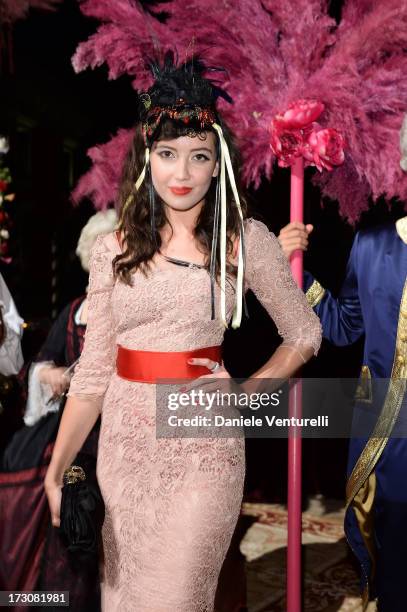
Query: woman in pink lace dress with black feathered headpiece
column 171, row 504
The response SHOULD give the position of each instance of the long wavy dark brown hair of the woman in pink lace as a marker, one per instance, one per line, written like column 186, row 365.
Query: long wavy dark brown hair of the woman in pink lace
column 139, row 246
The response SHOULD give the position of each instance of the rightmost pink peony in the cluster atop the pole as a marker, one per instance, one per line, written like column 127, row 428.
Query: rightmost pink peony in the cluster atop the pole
column 325, row 148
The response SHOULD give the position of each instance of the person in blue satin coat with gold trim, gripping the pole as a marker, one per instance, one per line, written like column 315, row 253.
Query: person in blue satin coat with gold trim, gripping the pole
column 373, row 303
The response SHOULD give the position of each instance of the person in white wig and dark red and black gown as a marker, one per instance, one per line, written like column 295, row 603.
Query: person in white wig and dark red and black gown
column 32, row 556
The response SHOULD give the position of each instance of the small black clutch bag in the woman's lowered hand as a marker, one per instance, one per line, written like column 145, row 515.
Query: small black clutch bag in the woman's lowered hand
column 82, row 514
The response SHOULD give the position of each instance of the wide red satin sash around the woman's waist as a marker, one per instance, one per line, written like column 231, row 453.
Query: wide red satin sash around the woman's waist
column 150, row 366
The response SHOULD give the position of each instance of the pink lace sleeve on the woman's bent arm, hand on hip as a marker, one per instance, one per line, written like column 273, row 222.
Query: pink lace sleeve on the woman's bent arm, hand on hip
column 269, row 276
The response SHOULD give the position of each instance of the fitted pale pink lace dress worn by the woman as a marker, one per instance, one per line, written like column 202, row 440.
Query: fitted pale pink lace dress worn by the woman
column 171, row 504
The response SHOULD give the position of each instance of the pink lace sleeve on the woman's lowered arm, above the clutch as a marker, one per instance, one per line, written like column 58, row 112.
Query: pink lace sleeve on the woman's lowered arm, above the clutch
column 95, row 367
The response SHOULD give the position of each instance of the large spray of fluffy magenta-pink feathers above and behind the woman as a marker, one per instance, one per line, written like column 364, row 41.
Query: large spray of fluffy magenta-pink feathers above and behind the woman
column 275, row 53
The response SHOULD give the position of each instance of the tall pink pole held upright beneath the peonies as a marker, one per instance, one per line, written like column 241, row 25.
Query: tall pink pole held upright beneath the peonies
column 295, row 409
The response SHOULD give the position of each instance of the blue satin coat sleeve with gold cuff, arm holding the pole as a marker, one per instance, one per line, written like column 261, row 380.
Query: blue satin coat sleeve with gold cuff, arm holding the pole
column 341, row 317
